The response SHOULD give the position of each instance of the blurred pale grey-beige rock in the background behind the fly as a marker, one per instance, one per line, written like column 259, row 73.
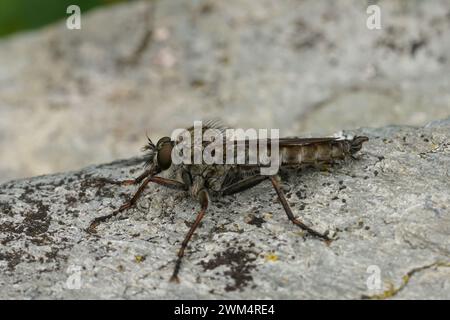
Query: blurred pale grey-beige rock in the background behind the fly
column 73, row 98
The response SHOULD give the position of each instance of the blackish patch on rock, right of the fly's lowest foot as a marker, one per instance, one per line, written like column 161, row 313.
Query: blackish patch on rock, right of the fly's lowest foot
column 240, row 263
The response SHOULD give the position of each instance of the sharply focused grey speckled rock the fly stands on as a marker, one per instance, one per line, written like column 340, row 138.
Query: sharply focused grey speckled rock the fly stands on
column 390, row 210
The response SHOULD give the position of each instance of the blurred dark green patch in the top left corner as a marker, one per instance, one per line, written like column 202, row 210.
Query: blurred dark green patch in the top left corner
column 17, row 15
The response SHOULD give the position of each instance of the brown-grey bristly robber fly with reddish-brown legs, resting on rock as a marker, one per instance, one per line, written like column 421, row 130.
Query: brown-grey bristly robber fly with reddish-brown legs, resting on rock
column 208, row 181
